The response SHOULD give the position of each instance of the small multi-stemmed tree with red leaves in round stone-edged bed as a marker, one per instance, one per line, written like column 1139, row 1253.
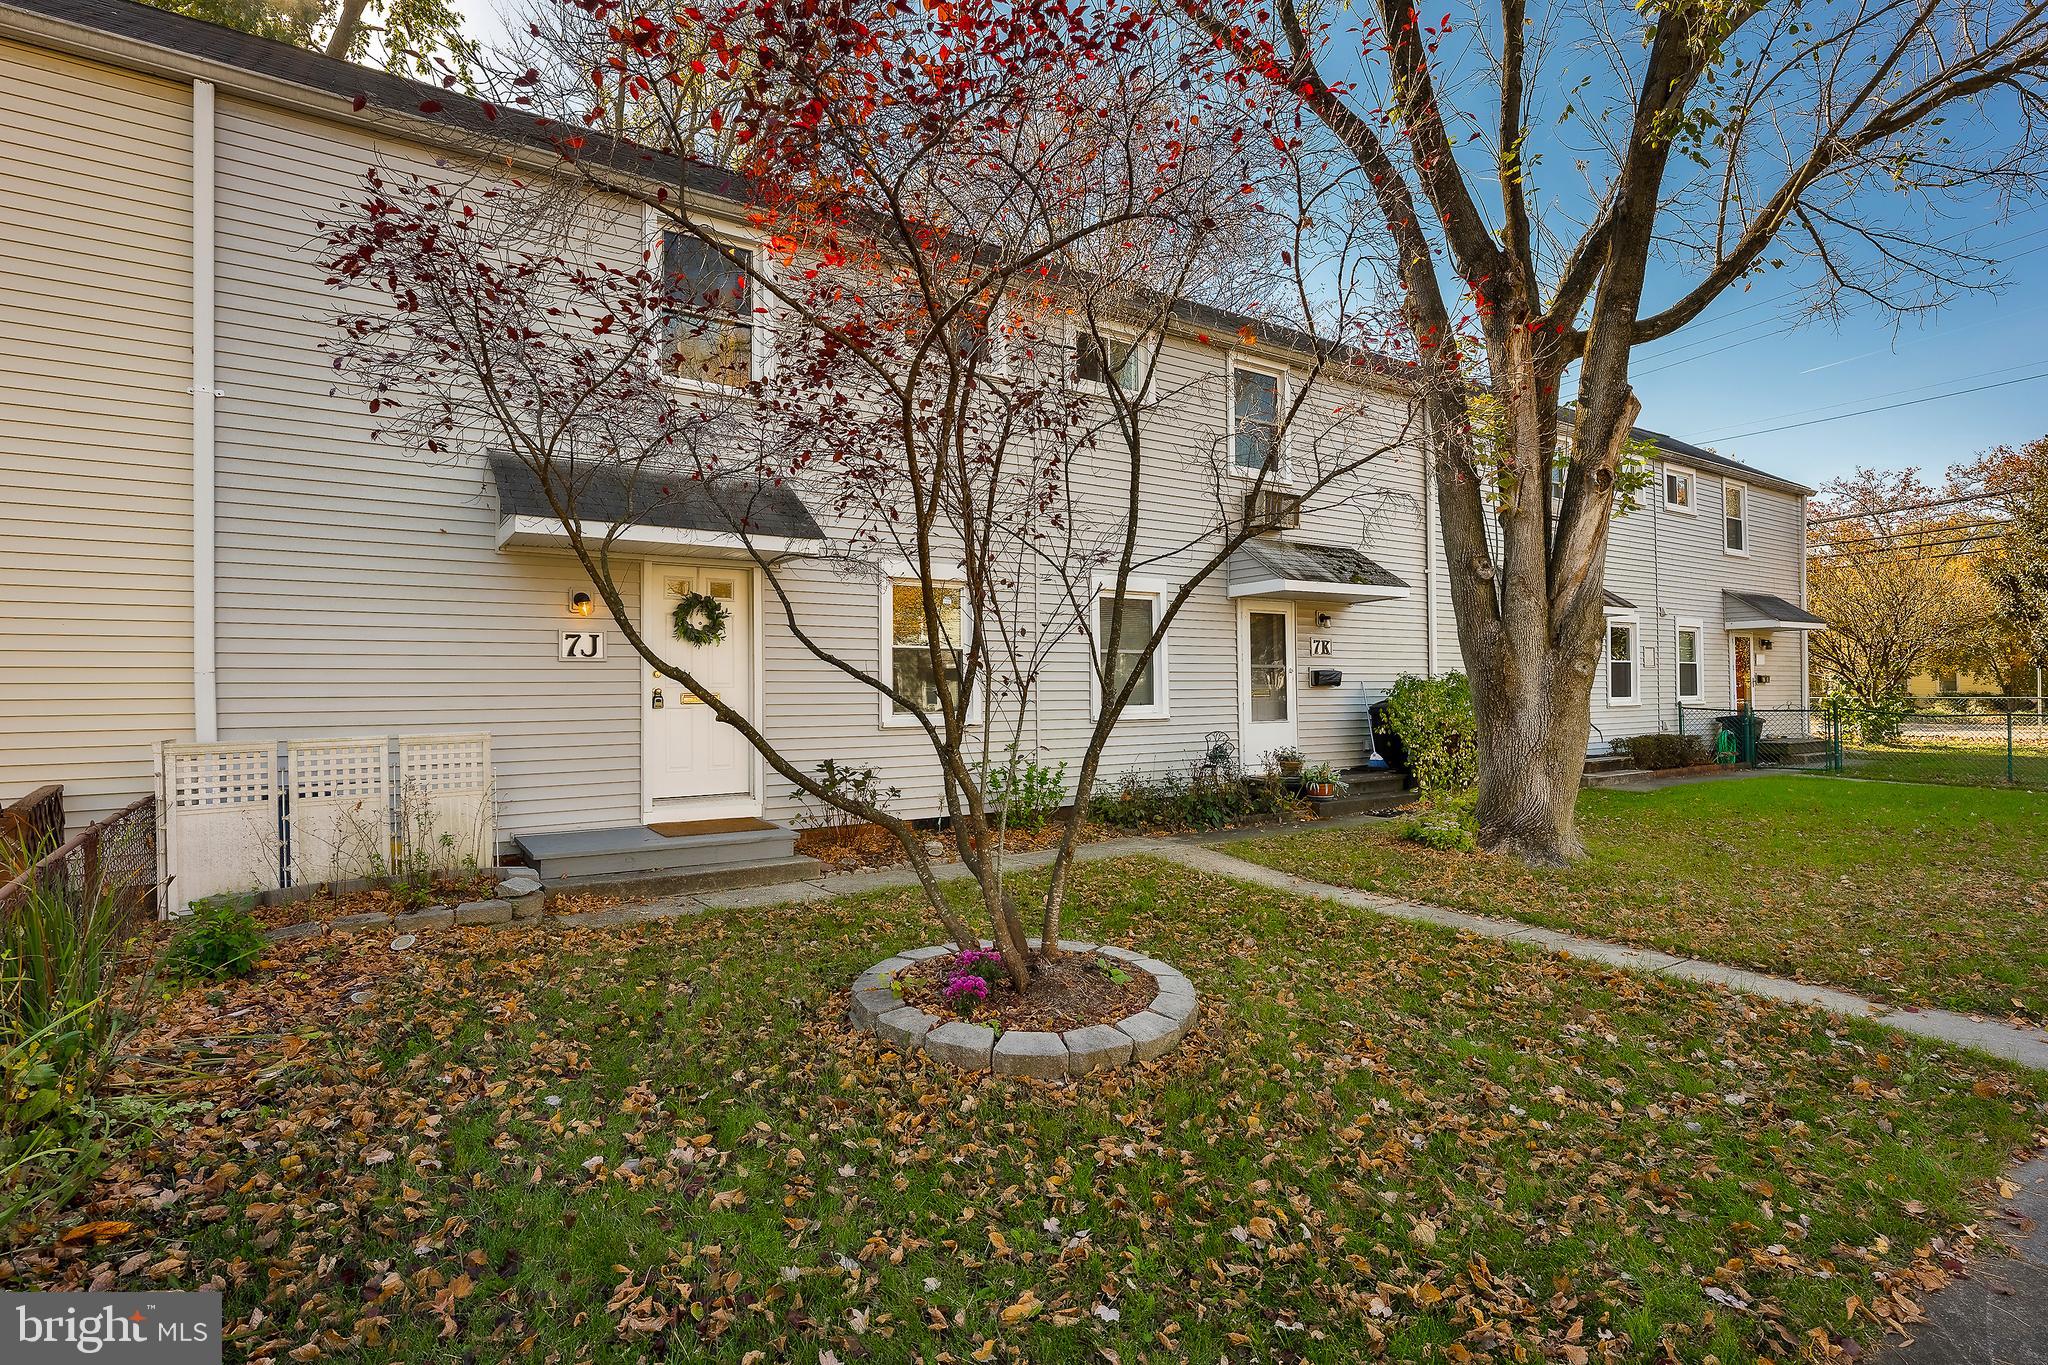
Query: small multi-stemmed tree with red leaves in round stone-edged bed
column 912, row 263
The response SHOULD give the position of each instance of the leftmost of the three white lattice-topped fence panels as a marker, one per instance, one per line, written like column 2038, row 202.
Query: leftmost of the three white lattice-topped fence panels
column 218, row 820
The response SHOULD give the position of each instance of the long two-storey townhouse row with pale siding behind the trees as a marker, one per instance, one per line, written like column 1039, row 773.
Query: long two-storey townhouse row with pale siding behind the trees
column 206, row 543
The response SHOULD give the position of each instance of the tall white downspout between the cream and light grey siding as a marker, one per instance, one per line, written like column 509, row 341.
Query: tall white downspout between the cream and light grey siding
column 206, row 682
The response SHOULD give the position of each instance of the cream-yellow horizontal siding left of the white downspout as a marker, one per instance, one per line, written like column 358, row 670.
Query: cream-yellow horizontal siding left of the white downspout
column 95, row 427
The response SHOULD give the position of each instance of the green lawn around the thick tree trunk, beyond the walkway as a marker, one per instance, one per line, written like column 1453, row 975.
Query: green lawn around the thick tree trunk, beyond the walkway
column 1906, row 893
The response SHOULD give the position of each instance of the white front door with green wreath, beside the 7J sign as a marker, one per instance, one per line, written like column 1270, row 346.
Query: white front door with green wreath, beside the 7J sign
column 693, row 764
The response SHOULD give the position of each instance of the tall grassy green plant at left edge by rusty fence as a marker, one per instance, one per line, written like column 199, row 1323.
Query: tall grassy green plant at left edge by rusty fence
column 65, row 1010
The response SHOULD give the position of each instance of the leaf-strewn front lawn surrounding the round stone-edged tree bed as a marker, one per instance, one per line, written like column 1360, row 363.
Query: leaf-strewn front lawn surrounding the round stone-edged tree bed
column 665, row 1143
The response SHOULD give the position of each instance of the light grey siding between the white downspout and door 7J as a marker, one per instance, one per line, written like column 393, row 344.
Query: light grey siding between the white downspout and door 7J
column 359, row 584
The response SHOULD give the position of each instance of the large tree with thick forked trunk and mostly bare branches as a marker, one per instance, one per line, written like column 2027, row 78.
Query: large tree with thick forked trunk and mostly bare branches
column 1715, row 142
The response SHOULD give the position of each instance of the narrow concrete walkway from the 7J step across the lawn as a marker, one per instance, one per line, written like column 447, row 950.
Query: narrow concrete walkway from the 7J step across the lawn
column 2000, row 1041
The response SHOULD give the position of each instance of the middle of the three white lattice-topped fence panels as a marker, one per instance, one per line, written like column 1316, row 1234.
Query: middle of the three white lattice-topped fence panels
column 341, row 809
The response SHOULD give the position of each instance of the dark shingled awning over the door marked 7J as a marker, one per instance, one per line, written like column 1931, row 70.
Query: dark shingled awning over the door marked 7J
column 654, row 511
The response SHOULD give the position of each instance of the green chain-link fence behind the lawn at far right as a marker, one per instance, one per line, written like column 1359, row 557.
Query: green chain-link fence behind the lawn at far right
column 1959, row 748
